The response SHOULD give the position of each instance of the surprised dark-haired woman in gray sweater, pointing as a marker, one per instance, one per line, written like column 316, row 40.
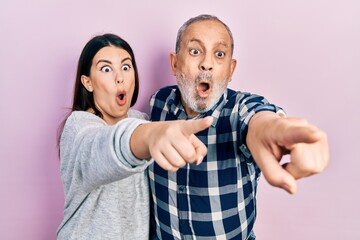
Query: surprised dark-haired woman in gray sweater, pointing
column 103, row 143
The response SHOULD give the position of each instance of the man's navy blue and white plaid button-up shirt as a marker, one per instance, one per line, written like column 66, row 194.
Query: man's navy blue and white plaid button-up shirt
column 216, row 199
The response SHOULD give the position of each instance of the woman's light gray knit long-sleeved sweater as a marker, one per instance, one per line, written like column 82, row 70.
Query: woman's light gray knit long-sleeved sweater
column 105, row 185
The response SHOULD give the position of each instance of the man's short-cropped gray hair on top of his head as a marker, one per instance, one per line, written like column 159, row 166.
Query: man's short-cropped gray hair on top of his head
column 200, row 18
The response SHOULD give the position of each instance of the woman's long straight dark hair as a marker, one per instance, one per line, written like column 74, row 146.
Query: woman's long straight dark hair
column 83, row 99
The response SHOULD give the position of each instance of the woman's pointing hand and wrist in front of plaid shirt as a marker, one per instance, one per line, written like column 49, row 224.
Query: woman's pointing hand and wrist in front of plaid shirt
column 171, row 144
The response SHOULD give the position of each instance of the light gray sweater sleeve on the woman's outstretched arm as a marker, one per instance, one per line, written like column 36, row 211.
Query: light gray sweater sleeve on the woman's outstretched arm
column 93, row 153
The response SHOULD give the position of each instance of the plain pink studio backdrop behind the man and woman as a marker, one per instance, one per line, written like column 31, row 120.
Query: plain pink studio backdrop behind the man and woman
column 302, row 55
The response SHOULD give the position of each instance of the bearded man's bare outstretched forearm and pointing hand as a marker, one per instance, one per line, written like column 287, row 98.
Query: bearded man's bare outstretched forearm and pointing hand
column 270, row 137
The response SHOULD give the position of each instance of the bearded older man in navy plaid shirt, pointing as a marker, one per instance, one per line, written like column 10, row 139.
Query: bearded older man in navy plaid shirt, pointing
column 216, row 199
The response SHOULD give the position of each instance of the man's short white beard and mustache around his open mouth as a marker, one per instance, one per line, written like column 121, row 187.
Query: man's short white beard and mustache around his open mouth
column 189, row 93
